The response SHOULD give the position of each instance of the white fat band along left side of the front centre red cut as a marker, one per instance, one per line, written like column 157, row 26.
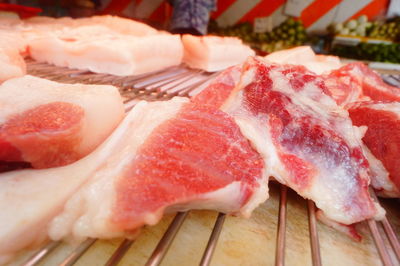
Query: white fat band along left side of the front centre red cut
column 88, row 213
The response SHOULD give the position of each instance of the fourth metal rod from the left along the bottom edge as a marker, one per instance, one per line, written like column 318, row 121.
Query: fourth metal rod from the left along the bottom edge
column 162, row 247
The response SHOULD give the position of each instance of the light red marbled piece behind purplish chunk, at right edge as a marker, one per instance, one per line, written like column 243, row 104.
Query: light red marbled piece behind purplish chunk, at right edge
column 357, row 82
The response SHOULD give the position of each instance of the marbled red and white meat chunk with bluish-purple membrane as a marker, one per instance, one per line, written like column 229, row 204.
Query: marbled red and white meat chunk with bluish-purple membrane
column 308, row 143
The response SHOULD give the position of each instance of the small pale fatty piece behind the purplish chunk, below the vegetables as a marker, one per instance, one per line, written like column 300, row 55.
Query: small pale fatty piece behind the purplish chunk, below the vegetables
column 304, row 55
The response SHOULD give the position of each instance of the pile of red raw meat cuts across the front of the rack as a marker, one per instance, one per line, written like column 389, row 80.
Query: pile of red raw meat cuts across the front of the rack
column 217, row 151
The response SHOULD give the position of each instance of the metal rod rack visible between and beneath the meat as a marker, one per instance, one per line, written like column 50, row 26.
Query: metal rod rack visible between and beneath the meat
column 162, row 85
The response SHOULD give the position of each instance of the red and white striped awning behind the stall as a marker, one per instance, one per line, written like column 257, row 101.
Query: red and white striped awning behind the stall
column 315, row 14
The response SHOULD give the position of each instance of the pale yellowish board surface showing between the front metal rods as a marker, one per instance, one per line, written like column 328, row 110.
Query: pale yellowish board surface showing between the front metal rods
column 242, row 241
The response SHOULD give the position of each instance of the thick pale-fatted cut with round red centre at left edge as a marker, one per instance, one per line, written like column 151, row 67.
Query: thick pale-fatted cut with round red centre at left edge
column 50, row 124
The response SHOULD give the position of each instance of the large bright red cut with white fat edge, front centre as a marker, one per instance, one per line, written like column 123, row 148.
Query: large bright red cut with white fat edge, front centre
column 192, row 157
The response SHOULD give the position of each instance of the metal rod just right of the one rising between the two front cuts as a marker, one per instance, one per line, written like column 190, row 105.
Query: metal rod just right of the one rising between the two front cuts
column 312, row 224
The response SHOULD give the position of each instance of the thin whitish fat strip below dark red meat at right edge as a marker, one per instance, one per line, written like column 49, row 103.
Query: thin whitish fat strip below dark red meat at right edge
column 379, row 176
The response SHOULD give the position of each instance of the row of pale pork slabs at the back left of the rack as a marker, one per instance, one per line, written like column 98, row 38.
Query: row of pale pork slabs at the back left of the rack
column 111, row 45
